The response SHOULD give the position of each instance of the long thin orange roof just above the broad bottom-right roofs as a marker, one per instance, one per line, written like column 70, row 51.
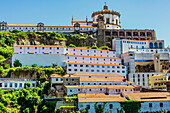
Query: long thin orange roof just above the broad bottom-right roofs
column 100, row 86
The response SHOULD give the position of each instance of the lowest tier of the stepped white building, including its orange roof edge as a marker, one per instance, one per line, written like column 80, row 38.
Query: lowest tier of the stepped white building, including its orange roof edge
column 73, row 67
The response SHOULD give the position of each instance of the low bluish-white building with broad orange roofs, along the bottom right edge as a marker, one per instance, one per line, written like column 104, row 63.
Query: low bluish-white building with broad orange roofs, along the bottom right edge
column 150, row 101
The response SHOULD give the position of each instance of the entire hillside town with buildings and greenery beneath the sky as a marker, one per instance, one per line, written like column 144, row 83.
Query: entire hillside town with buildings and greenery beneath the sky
column 86, row 67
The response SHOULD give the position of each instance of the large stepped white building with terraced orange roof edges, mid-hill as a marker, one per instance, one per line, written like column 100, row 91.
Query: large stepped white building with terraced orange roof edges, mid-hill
column 76, row 59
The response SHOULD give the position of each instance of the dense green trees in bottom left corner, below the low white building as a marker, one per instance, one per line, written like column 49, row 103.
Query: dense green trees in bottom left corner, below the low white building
column 27, row 100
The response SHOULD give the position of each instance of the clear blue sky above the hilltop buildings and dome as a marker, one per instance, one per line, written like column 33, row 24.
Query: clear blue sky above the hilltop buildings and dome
column 135, row 14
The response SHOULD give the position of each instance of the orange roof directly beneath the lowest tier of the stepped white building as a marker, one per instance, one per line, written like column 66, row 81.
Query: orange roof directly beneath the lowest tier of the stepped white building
column 96, row 74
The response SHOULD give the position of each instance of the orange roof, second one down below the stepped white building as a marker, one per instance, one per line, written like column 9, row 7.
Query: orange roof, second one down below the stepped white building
column 85, row 79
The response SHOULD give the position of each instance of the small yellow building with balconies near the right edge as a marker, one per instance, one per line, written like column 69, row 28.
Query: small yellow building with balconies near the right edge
column 158, row 82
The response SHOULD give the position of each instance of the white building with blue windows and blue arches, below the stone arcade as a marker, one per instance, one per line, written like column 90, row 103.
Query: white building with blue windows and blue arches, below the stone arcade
column 122, row 46
